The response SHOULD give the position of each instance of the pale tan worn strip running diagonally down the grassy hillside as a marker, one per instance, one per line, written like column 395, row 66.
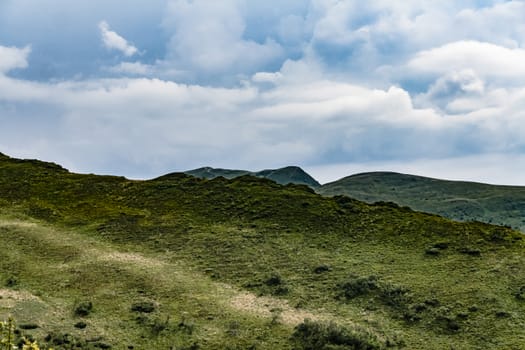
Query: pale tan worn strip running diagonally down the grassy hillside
column 163, row 271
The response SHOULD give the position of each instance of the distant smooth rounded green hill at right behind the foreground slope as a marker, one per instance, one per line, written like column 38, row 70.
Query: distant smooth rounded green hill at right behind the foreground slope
column 457, row 200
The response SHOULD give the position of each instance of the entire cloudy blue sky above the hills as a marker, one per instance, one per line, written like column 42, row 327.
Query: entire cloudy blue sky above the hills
column 143, row 88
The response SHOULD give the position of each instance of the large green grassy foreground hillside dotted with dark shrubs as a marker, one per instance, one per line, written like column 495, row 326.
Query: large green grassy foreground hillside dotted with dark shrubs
column 187, row 263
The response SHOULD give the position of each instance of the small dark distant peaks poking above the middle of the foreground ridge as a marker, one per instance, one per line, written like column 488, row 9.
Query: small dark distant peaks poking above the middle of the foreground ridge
column 283, row 176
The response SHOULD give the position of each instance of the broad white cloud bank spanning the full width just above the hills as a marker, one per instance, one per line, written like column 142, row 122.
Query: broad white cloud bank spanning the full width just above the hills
column 127, row 125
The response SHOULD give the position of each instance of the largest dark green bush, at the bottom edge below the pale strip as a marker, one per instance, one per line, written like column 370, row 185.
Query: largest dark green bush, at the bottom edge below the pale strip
column 313, row 335
